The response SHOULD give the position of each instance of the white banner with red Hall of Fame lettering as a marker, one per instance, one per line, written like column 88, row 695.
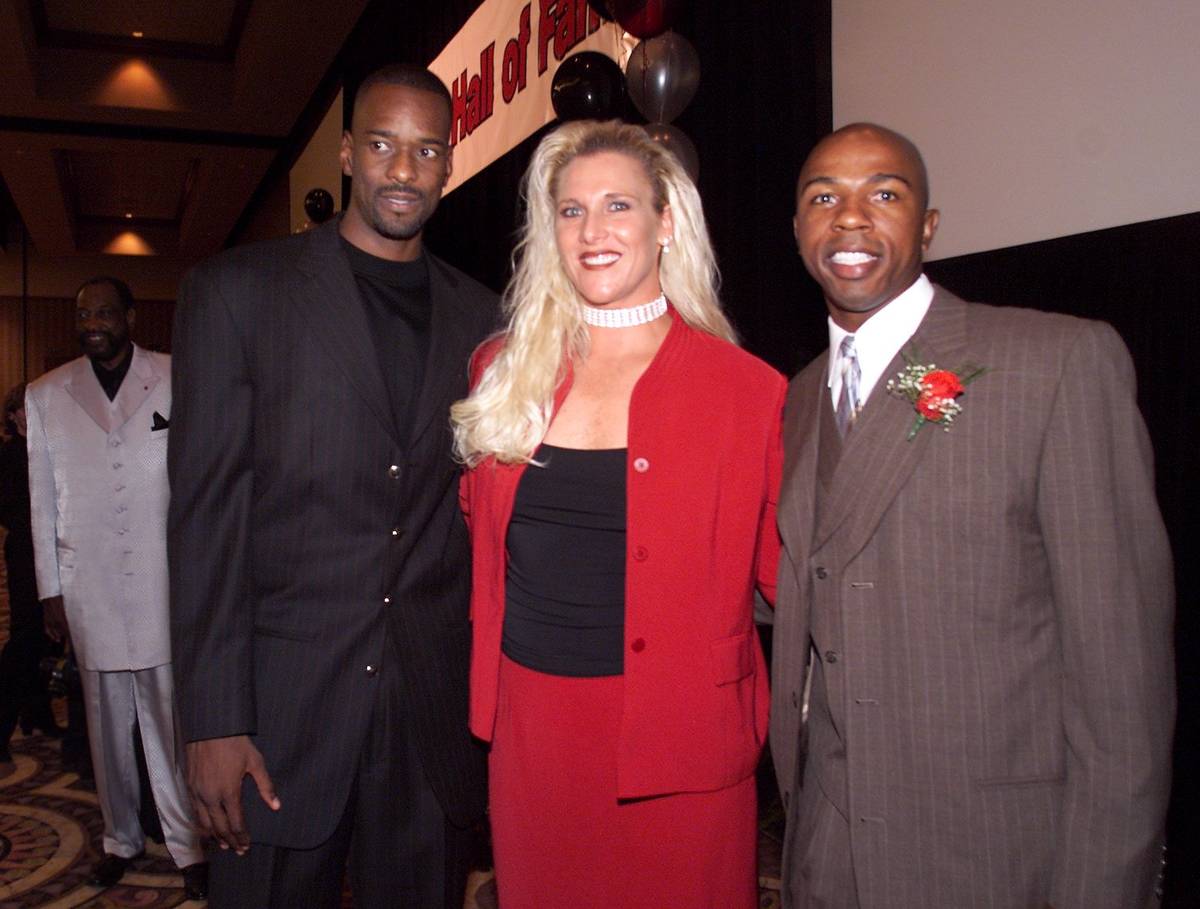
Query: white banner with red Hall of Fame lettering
column 500, row 69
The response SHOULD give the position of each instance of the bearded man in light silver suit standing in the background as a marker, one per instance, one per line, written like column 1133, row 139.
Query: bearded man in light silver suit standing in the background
column 98, row 471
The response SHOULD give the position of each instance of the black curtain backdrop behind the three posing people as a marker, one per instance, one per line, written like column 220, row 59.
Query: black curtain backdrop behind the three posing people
column 765, row 99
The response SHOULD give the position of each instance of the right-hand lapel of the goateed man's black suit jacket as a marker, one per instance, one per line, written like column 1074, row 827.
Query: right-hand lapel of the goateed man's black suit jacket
column 446, row 371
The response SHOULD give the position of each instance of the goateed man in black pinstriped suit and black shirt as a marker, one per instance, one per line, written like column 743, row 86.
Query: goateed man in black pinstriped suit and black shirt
column 319, row 561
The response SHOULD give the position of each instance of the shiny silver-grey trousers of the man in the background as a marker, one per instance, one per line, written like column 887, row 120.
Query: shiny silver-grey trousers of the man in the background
column 116, row 703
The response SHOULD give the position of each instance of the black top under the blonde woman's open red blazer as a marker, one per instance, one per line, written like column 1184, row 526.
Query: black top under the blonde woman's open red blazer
column 566, row 588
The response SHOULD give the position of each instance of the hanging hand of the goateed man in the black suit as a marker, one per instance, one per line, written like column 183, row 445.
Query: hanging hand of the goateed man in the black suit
column 215, row 770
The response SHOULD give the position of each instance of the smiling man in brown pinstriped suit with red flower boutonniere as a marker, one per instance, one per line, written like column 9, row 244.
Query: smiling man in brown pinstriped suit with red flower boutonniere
column 987, row 611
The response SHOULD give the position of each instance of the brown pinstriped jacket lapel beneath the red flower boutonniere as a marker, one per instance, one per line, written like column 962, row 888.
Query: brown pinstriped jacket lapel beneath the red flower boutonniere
column 878, row 457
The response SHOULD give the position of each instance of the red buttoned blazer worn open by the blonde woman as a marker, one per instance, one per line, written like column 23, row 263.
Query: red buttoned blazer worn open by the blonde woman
column 704, row 475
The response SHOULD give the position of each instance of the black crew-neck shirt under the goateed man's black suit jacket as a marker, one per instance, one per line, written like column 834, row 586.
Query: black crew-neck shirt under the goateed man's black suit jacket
column 399, row 306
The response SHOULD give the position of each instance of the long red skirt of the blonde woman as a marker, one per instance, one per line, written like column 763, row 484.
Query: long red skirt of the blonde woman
column 562, row 840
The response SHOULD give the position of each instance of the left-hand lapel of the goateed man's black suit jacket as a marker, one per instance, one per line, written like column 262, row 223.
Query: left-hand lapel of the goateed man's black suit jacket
column 332, row 308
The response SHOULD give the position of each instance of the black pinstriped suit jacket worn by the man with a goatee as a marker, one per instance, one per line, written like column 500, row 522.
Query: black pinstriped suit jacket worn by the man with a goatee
column 316, row 549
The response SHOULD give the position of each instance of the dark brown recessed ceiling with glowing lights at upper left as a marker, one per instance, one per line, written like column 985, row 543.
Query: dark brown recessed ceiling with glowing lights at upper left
column 145, row 128
